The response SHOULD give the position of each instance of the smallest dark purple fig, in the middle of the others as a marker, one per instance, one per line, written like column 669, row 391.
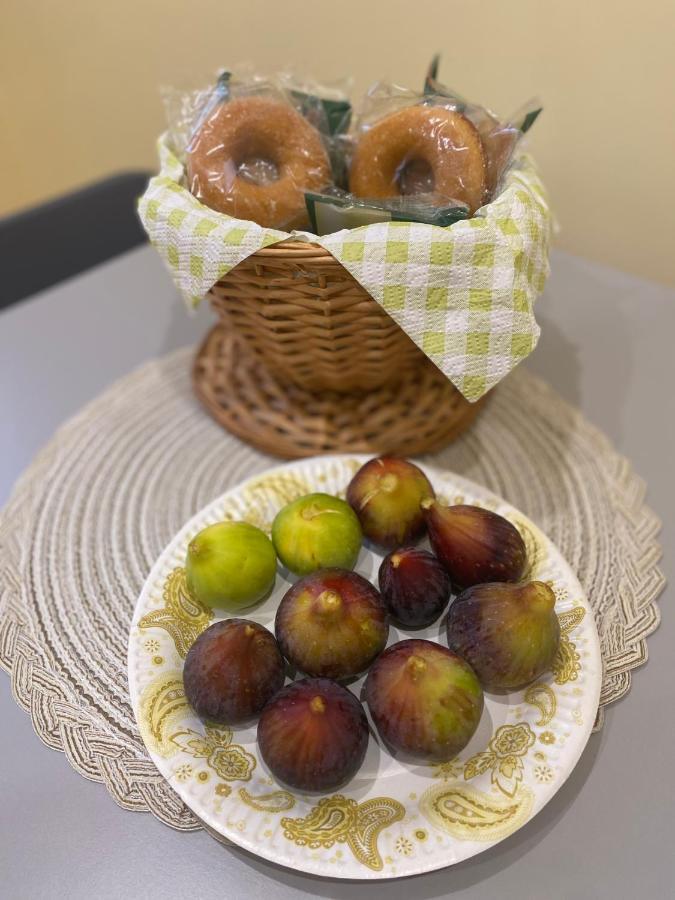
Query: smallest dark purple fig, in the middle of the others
column 414, row 585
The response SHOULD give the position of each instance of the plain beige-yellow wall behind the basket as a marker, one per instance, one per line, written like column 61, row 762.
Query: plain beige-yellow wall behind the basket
column 79, row 90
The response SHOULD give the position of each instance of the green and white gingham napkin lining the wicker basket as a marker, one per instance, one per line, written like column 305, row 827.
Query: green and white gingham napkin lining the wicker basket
column 464, row 294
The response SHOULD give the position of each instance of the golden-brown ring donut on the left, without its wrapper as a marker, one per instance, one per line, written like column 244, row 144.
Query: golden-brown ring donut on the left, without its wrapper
column 240, row 133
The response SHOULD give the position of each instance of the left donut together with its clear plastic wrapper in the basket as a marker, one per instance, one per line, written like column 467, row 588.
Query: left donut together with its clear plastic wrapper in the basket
column 252, row 148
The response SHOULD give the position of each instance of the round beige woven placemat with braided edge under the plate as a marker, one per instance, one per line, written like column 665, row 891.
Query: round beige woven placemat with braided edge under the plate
column 91, row 514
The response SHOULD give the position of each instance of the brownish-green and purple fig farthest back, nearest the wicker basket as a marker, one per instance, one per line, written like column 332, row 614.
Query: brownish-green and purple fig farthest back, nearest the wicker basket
column 386, row 494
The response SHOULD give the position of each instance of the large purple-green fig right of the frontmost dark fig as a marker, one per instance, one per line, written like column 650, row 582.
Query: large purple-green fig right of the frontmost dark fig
column 425, row 700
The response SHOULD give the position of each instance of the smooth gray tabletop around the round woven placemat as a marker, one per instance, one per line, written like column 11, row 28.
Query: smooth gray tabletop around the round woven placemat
column 607, row 346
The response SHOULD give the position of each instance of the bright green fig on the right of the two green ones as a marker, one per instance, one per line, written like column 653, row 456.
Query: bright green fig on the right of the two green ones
column 315, row 532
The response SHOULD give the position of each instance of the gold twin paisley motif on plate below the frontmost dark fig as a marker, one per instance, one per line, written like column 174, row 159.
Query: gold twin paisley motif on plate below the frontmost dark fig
column 340, row 820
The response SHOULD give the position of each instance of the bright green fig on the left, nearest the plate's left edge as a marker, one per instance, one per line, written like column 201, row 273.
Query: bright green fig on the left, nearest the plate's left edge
column 230, row 565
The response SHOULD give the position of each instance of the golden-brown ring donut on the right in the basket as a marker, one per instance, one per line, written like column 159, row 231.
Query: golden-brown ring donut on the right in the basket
column 433, row 136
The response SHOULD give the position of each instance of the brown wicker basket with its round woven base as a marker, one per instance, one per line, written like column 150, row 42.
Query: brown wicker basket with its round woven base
column 305, row 361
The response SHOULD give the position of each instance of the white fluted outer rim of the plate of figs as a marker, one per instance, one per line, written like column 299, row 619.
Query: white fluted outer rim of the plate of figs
column 312, row 867
